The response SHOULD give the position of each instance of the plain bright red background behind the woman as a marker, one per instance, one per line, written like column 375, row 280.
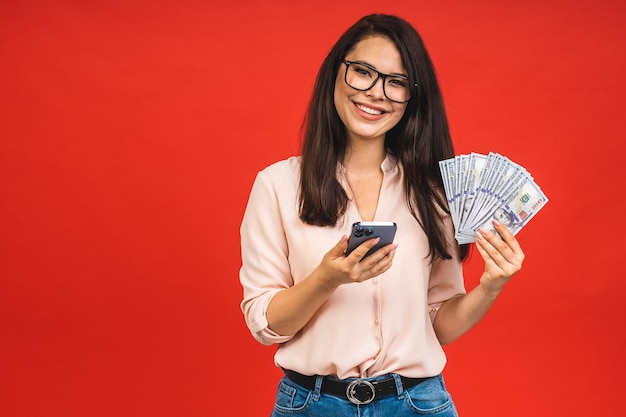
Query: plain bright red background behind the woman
column 130, row 137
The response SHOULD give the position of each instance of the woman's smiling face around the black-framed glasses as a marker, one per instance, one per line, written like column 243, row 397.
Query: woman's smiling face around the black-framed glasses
column 369, row 114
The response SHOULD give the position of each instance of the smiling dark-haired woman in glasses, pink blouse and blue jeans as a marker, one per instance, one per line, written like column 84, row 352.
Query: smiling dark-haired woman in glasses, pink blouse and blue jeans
column 355, row 335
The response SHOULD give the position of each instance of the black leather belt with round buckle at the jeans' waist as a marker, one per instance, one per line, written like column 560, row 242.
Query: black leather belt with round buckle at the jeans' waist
column 358, row 391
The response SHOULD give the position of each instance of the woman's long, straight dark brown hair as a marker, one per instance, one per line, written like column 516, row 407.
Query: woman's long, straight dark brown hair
column 419, row 141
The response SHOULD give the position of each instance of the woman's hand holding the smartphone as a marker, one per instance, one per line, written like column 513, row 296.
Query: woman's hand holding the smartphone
column 336, row 268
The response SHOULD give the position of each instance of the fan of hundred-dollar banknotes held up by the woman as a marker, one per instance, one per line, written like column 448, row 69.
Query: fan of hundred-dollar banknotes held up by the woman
column 480, row 188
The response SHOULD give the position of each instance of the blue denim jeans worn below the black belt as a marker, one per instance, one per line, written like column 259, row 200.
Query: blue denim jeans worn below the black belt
column 429, row 398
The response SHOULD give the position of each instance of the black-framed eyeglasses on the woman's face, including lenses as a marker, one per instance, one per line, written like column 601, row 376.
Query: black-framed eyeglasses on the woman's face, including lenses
column 362, row 77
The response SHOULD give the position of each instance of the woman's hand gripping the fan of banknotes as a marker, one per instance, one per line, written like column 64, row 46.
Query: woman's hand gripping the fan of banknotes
column 503, row 257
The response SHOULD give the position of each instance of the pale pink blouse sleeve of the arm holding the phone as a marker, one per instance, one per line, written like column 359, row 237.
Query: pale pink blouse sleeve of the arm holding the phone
column 264, row 252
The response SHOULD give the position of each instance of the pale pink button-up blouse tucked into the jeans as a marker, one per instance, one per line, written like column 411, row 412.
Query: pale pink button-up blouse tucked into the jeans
column 364, row 329
